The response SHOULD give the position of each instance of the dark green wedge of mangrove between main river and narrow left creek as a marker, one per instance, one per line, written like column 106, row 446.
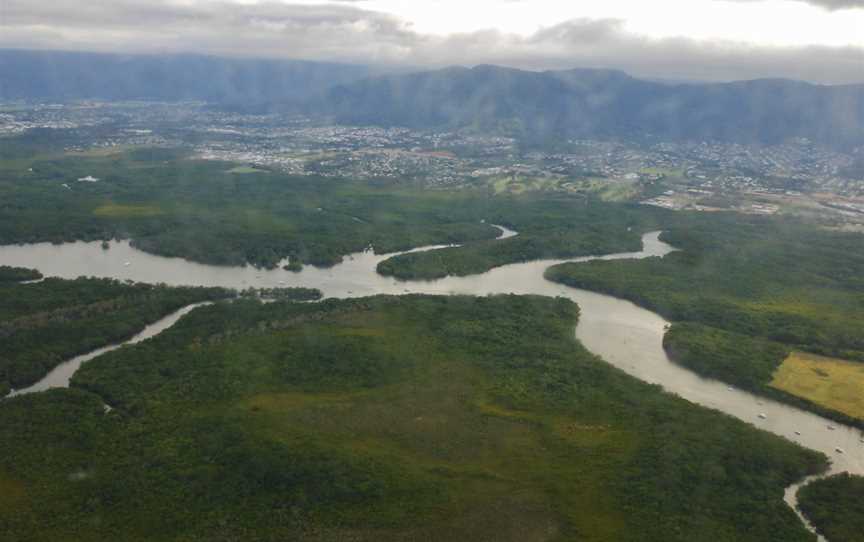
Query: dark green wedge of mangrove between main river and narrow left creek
column 46, row 323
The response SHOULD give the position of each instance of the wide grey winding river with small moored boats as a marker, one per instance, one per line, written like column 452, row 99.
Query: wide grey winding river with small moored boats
column 627, row 336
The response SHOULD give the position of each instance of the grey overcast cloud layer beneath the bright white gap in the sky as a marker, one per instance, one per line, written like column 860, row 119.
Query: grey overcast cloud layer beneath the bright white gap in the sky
column 345, row 32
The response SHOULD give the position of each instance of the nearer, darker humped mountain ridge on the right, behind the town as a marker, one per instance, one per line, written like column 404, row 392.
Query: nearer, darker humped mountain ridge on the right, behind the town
column 598, row 103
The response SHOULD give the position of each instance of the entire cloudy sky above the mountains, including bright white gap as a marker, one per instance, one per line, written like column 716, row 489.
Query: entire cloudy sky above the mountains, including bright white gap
column 820, row 41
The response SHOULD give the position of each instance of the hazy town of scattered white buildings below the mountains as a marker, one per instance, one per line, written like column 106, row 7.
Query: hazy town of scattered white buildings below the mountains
column 796, row 177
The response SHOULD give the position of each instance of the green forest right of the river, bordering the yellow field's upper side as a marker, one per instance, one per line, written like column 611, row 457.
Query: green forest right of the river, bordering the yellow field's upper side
column 744, row 293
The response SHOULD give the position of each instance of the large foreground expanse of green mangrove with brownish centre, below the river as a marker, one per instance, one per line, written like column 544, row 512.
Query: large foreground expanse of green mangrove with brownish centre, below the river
column 406, row 418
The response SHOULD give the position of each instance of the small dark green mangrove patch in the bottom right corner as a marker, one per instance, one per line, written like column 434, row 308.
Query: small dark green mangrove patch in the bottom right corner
column 835, row 506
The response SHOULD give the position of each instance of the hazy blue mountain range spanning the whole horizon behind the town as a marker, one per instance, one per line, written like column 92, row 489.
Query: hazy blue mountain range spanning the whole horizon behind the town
column 532, row 105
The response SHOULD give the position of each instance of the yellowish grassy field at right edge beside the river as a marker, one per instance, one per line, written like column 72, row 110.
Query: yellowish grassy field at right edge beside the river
column 832, row 383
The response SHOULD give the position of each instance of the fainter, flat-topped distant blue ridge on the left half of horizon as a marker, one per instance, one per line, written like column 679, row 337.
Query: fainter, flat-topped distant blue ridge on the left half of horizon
column 64, row 75
